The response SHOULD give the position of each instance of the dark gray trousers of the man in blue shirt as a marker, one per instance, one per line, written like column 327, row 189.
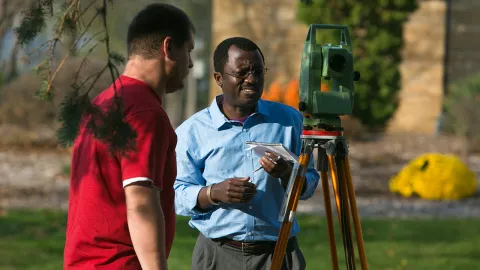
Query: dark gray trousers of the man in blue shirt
column 209, row 255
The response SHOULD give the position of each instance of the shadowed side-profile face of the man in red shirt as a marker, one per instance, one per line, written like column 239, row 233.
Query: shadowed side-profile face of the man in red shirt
column 182, row 62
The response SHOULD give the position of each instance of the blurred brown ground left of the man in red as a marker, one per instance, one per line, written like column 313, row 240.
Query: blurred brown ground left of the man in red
column 33, row 178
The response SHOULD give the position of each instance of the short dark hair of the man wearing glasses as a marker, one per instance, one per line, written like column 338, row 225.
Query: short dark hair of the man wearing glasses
column 220, row 56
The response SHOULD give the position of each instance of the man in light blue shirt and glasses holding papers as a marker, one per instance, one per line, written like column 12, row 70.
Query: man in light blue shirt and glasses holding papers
column 234, row 207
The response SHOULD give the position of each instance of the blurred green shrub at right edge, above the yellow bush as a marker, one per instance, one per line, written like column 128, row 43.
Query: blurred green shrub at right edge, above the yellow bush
column 462, row 106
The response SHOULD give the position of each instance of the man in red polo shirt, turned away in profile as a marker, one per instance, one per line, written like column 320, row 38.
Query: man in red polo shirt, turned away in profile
column 121, row 209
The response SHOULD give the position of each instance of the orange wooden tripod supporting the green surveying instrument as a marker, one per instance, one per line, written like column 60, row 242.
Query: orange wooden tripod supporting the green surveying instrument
column 333, row 157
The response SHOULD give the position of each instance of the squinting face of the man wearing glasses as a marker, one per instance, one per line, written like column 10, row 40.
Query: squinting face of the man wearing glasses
column 242, row 78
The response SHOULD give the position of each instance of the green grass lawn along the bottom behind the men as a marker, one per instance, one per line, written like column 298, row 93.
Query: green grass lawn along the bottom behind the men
column 34, row 240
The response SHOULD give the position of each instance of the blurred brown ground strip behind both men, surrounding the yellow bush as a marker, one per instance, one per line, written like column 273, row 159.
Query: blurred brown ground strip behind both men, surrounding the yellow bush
column 35, row 178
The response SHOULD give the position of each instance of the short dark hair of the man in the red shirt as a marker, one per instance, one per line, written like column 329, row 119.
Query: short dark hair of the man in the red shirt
column 152, row 24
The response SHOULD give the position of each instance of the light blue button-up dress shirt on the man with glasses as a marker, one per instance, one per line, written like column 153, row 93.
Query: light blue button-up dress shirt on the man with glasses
column 212, row 148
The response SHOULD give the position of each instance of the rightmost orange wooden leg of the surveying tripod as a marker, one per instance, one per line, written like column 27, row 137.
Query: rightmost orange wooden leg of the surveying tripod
column 356, row 219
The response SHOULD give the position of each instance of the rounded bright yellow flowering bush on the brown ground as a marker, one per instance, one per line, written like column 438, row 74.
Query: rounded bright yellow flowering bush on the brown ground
column 435, row 177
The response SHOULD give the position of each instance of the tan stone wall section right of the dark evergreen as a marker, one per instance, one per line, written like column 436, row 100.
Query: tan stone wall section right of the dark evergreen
column 421, row 94
